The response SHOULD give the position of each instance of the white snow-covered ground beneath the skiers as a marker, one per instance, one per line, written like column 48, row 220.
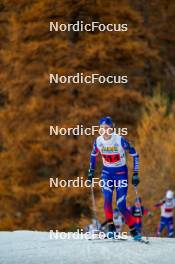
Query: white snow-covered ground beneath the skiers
column 27, row 247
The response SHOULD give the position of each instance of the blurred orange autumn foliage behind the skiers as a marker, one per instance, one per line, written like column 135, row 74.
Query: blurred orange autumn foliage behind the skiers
column 29, row 105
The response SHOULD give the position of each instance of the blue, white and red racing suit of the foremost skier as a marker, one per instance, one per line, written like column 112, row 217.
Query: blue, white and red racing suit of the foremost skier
column 114, row 172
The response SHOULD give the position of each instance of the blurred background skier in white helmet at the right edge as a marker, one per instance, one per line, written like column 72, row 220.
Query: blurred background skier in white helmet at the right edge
column 167, row 206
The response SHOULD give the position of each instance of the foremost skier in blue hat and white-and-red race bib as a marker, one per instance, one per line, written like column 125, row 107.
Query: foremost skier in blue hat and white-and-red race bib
column 112, row 148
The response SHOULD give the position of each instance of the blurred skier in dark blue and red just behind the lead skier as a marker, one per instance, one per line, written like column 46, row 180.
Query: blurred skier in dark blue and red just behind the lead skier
column 138, row 210
